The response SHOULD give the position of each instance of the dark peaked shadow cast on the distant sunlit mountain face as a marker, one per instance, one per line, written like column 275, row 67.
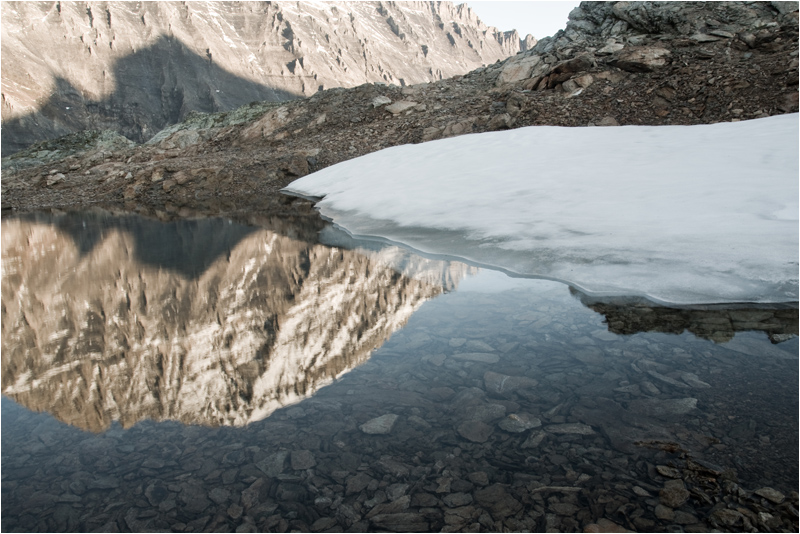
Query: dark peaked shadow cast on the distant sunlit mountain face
column 153, row 88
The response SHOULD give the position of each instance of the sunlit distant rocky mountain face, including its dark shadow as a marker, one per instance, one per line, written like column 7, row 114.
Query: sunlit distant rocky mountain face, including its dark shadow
column 137, row 67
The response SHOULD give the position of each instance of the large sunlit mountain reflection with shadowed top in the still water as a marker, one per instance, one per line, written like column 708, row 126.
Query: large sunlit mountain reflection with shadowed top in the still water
column 94, row 330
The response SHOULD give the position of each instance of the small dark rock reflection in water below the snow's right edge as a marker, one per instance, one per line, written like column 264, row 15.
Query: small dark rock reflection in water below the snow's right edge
column 718, row 323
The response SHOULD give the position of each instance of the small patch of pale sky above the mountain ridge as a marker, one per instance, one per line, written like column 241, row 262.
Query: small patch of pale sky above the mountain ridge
column 539, row 18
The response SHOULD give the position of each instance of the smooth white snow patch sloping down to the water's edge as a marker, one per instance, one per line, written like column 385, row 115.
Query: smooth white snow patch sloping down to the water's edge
column 680, row 214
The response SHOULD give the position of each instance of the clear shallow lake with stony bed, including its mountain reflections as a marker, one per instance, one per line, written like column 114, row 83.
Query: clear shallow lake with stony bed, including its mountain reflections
column 211, row 375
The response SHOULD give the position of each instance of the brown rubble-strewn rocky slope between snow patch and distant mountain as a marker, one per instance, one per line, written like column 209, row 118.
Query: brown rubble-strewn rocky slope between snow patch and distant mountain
column 614, row 64
